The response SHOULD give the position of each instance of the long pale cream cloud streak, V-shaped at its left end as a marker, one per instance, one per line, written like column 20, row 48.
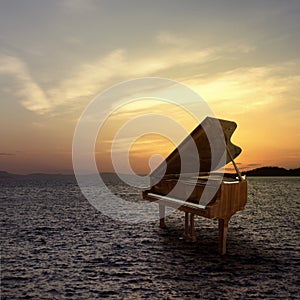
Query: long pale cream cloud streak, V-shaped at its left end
column 89, row 78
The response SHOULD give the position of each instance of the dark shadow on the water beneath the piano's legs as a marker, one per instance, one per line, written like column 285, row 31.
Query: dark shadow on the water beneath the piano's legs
column 245, row 255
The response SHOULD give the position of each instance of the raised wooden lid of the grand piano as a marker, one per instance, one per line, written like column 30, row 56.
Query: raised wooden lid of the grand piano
column 207, row 158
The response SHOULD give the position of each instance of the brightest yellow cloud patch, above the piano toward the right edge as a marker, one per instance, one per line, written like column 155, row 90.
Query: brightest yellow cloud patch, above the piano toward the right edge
column 247, row 89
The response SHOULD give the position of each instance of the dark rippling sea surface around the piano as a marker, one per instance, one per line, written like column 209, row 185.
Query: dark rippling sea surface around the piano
column 56, row 245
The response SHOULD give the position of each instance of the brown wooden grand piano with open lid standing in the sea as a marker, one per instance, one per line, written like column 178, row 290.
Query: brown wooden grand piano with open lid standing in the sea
column 195, row 185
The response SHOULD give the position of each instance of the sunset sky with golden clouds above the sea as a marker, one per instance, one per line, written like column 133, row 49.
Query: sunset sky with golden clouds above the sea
column 241, row 57
